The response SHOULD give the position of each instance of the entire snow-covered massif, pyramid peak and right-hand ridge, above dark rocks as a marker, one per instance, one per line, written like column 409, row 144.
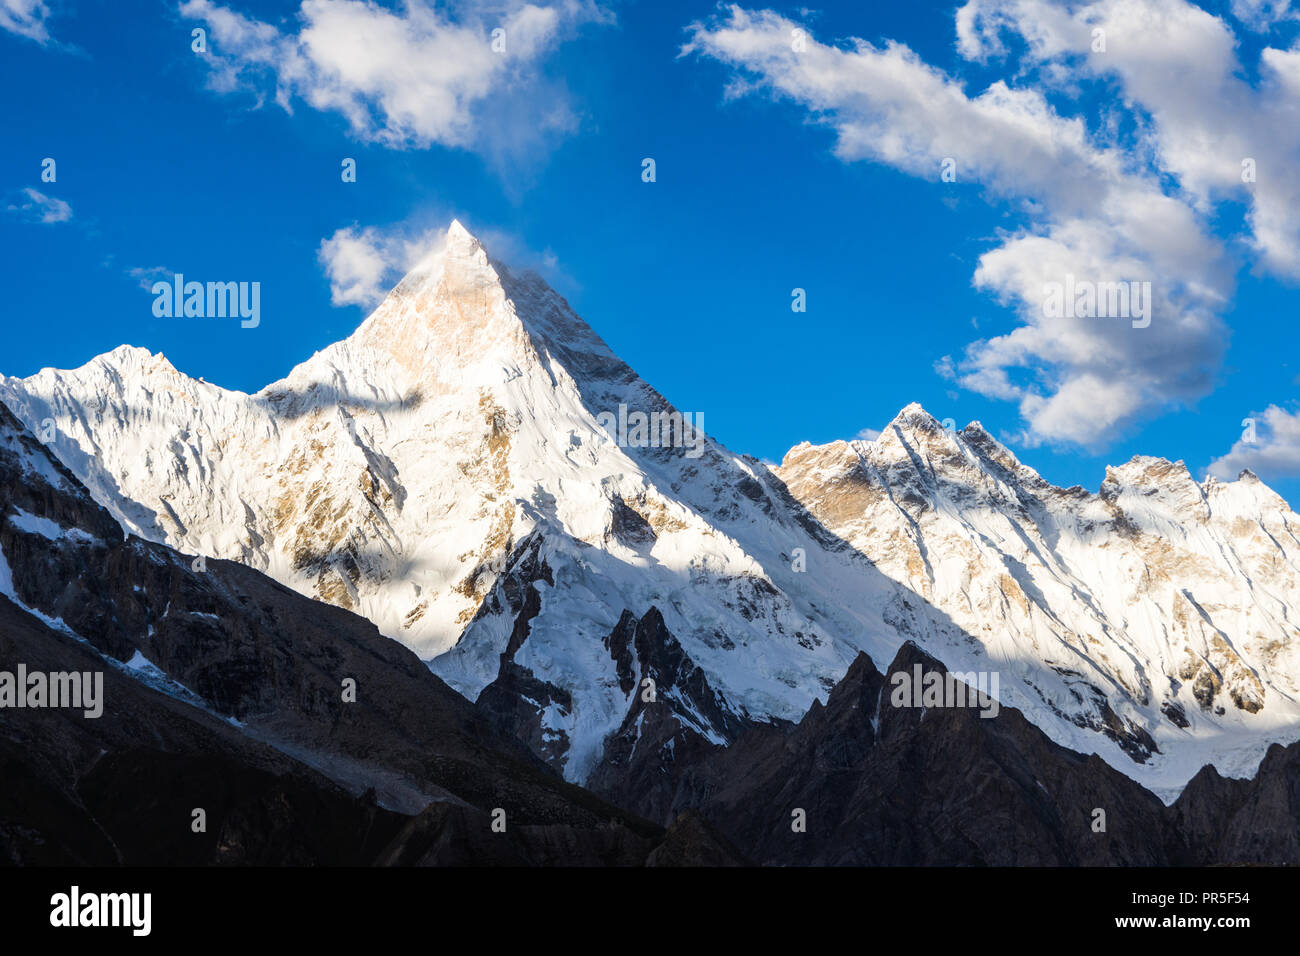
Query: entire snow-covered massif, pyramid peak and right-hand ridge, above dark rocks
column 448, row 473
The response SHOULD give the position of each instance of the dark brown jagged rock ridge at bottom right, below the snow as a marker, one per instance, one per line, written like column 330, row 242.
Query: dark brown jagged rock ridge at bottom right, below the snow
column 873, row 784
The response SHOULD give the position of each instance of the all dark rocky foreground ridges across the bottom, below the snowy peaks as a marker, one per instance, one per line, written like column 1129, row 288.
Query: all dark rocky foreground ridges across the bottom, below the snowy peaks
column 227, row 693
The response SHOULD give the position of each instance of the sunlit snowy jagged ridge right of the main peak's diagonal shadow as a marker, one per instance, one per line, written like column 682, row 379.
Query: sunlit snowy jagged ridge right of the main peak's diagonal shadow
column 1172, row 604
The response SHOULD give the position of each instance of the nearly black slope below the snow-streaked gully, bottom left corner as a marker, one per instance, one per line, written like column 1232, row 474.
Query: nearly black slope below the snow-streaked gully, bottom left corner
column 123, row 789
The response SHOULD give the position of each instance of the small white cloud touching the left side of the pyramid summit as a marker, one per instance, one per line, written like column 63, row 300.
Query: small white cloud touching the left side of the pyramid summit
column 365, row 265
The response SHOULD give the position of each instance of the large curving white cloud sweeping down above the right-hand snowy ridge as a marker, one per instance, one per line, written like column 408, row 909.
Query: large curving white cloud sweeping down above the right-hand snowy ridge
column 1095, row 211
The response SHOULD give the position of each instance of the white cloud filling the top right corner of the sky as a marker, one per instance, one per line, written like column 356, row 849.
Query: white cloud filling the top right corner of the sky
column 1180, row 66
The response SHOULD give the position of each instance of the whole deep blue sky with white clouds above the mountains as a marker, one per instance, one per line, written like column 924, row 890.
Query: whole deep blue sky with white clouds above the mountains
column 777, row 168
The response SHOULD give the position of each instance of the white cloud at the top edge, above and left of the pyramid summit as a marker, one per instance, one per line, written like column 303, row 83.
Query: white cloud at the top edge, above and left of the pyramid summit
column 410, row 79
